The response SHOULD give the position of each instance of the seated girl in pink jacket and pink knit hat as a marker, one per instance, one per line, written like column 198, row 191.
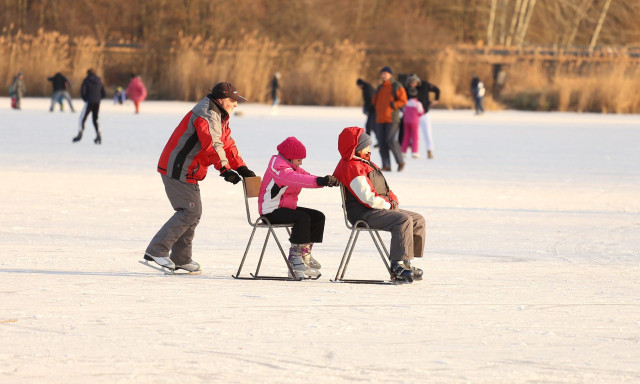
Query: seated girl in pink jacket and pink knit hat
column 278, row 202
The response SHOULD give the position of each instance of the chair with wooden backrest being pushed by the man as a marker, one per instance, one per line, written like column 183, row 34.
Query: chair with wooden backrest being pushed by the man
column 251, row 188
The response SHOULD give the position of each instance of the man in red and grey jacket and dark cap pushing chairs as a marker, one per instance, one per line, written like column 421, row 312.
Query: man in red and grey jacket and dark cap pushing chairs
column 202, row 138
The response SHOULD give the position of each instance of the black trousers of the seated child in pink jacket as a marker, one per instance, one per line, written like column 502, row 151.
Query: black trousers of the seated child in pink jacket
column 308, row 224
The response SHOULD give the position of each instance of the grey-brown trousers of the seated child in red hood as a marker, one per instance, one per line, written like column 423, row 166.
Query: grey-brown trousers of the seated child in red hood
column 407, row 231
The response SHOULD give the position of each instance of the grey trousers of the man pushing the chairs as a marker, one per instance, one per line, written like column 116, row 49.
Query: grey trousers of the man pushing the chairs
column 175, row 237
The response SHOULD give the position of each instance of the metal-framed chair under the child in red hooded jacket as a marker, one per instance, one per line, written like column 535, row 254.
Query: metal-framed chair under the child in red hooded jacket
column 356, row 228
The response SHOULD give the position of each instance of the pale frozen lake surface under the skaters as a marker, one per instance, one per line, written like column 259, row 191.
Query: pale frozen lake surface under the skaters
column 532, row 260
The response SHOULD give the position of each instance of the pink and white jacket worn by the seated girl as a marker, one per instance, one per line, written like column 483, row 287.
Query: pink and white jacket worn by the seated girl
column 282, row 184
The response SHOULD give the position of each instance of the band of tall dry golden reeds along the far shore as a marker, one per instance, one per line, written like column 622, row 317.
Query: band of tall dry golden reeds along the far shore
column 316, row 74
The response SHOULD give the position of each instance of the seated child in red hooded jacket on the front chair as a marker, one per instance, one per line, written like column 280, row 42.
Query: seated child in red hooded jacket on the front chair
column 369, row 198
